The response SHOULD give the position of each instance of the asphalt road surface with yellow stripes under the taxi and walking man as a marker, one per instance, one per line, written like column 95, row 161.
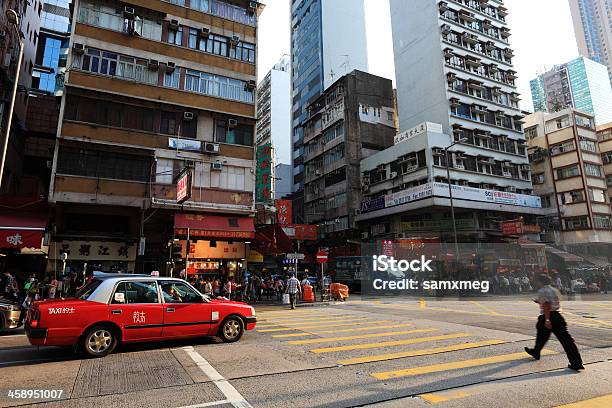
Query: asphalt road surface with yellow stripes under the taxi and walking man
column 365, row 352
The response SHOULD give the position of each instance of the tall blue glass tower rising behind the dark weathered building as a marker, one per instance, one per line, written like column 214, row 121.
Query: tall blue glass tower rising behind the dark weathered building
column 328, row 40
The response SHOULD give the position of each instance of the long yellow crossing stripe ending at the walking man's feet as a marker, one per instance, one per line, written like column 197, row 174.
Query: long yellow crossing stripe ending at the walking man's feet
column 455, row 365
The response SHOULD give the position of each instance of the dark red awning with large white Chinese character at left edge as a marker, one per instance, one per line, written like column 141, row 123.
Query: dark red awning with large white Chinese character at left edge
column 18, row 231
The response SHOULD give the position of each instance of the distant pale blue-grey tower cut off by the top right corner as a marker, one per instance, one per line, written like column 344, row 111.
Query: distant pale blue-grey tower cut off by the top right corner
column 593, row 29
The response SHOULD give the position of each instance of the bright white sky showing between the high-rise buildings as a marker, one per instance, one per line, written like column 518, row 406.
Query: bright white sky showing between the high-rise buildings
column 542, row 36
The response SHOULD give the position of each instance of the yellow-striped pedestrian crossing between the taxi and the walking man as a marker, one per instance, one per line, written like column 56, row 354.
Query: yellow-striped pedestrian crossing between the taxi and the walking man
column 352, row 338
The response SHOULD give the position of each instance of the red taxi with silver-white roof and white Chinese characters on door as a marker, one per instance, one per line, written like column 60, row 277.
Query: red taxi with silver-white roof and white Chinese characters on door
column 113, row 309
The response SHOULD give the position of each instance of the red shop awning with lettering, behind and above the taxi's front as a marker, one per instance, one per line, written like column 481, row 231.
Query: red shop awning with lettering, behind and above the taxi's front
column 214, row 226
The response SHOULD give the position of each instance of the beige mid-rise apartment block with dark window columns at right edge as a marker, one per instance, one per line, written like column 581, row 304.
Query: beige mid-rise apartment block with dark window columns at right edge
column 568, row 176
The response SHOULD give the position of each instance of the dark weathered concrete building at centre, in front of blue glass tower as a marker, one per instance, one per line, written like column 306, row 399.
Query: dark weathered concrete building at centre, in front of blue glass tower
column 353, row 119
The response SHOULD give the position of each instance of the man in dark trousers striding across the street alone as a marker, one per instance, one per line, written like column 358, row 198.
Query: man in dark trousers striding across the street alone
column 551, row 320
